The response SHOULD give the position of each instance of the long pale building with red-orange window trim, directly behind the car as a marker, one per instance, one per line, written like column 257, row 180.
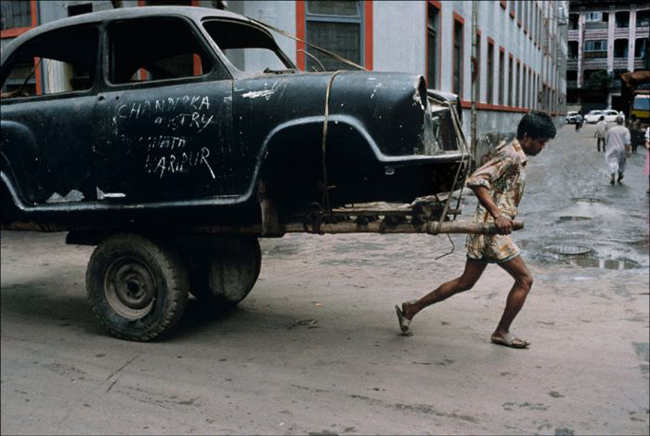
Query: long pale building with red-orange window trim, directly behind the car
column 517, row 64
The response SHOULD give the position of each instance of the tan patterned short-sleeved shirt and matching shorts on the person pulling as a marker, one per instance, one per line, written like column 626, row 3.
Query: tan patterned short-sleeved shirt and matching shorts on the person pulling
column 504, row 177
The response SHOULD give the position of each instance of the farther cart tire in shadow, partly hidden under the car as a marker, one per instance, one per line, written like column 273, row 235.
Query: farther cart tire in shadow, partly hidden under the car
column 224, row 270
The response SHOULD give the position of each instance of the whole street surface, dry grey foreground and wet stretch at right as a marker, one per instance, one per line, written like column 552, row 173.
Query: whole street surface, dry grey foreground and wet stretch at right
column 315, row 348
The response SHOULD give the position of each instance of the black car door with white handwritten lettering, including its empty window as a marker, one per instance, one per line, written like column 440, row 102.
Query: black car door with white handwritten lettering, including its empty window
column 165, row 117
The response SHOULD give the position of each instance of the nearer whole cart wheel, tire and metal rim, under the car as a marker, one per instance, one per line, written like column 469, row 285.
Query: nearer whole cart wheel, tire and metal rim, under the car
column 137, row 287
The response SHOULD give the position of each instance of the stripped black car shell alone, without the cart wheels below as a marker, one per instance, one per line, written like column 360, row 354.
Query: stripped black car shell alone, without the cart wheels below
column 130, row 136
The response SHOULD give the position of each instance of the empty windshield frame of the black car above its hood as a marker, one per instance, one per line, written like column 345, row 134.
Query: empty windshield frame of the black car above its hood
column 272, row 45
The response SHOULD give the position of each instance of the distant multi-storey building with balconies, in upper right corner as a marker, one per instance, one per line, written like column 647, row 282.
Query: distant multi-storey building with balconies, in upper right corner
column 605, row 39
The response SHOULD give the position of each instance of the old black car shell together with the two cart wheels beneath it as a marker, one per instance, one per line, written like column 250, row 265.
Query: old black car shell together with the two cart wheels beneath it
column 165, row 123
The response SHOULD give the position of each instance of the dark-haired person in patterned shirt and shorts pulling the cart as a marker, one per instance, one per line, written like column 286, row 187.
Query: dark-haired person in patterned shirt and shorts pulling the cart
column 499, row 186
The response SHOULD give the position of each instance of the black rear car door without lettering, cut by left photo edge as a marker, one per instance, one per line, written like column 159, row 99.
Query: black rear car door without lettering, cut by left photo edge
column 47, row 132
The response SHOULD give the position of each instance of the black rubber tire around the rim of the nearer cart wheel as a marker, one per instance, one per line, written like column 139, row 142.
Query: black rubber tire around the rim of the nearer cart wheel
column 166, row 267
